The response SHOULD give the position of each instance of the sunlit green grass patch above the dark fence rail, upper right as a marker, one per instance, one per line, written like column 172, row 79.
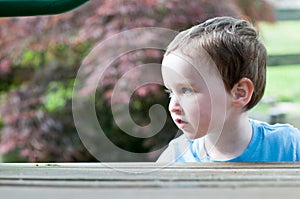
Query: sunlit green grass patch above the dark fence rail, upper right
column 281, row 37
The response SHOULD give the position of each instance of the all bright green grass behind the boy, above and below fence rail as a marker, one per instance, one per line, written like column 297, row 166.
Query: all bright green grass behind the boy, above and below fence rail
column 281, row 38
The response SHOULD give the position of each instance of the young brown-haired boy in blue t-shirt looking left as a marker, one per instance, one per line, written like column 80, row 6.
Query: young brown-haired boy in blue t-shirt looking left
column 215, row 72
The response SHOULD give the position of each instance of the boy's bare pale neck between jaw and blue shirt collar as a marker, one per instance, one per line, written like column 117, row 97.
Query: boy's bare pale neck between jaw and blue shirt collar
column 234, row 139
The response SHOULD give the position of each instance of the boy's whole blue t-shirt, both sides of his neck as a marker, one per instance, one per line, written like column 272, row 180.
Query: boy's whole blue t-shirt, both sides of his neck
column 269, row 143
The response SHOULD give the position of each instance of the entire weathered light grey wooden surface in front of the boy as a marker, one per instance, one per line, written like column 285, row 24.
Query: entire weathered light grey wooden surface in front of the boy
column 149, row 180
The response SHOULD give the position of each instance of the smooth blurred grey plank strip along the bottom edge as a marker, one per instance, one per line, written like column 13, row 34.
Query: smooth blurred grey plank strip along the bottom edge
column 149, row 193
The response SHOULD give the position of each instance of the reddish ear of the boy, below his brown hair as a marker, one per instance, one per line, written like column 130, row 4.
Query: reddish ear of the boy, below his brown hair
column 241, row 92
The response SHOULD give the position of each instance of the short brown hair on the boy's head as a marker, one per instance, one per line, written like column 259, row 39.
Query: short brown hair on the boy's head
column 234, row 47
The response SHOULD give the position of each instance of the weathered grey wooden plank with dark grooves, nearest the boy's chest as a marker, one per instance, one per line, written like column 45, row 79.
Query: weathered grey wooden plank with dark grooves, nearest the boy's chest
column 150, row 175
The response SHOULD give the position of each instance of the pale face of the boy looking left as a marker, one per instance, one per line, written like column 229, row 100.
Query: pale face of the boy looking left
column 197, row 95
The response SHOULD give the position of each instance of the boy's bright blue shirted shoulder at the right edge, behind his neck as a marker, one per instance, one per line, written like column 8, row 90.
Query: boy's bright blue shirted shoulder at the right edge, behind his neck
column 272, row 143
